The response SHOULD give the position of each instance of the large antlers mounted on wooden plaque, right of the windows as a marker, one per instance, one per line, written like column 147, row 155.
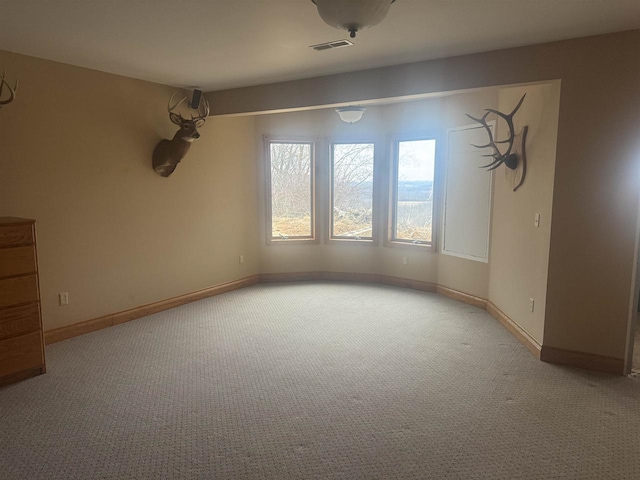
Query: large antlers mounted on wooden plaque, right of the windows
column 514, row 155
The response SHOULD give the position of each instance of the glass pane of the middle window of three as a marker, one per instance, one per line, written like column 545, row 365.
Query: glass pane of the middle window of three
column 352, row 190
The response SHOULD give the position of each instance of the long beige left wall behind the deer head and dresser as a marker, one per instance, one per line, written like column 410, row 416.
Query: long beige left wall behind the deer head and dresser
column 75, row 154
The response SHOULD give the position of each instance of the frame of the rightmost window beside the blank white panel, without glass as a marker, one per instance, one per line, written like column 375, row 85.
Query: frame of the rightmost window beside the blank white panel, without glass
column 391, row 210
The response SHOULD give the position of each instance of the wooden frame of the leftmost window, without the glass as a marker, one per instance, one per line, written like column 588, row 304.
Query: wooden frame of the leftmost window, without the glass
column 267, row 142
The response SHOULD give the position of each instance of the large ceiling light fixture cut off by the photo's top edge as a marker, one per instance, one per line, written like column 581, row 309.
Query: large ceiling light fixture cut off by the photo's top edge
column 353, row 15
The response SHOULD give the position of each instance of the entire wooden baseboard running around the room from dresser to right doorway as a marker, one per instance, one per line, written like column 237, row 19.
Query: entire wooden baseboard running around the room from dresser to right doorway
column 546, row 354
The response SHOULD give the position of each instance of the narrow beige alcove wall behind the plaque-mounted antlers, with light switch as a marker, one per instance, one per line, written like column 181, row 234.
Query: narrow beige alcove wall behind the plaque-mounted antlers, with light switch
column 520, row 250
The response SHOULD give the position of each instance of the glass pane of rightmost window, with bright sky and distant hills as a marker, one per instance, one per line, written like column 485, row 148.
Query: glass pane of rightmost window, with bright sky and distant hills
column 413, row 211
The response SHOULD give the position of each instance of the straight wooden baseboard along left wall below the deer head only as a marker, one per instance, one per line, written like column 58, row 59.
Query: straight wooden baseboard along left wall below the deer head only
column 70, row 331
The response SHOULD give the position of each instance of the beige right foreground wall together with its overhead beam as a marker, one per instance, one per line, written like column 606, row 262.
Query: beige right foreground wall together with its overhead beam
column 596, row 181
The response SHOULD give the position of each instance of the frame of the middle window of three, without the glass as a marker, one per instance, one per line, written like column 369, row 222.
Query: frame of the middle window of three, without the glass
column 330, row 237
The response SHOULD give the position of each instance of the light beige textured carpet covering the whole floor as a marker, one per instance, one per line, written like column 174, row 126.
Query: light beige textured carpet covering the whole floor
column 316, row 381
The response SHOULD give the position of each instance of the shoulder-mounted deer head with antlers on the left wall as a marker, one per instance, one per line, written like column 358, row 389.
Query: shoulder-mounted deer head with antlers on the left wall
column 168, row 153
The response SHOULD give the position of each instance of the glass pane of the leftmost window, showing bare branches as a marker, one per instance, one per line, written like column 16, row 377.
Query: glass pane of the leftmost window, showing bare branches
column 291, row 197
